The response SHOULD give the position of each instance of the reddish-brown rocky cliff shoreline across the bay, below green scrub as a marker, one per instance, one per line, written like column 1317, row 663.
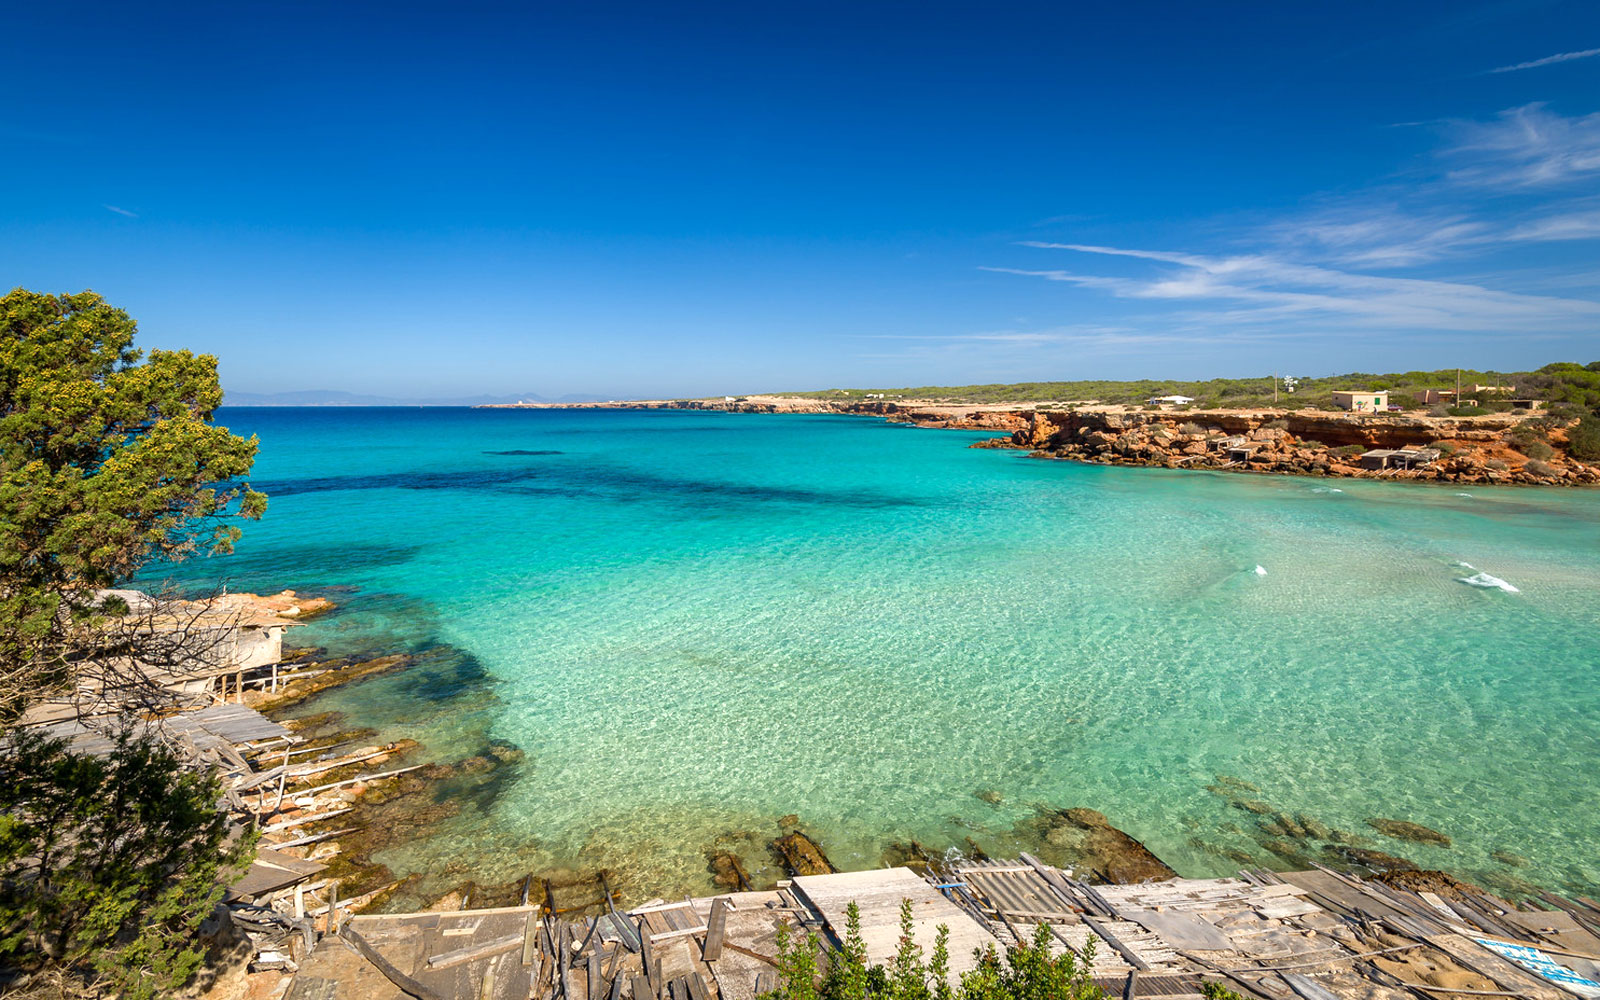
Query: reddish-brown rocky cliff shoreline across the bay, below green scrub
column 1473, row 450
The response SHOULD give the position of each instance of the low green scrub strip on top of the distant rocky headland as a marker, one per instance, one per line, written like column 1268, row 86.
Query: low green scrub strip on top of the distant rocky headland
column 1564, row 383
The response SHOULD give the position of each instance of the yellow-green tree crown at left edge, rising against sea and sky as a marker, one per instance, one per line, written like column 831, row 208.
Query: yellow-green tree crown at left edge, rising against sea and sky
column 108, row 462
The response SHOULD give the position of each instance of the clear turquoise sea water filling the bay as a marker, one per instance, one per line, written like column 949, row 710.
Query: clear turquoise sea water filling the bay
column 697, row 623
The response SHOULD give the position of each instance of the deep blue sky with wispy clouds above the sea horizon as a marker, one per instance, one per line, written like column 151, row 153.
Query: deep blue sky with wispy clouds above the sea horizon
column 636, row 201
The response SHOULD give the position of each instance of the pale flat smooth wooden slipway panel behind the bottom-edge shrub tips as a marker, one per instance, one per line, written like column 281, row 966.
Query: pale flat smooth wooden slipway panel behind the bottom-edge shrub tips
column 879, row 897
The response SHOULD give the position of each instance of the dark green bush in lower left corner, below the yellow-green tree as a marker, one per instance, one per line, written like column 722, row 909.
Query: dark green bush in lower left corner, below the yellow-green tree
column 108, row 865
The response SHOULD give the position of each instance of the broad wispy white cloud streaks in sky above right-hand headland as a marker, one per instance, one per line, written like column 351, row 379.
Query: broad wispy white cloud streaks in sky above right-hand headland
column 1436, row 254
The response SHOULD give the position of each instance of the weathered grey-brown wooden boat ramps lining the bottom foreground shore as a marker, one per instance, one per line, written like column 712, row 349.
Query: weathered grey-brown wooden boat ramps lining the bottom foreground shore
column 1314, row 935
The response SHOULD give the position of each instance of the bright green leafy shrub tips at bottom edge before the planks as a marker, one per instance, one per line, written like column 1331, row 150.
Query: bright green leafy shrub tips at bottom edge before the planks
column 1025, row 974
